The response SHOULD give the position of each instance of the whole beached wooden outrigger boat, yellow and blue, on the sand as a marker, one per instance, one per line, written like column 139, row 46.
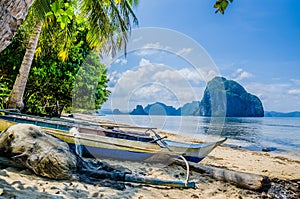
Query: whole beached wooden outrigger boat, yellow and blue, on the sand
column 112, row 144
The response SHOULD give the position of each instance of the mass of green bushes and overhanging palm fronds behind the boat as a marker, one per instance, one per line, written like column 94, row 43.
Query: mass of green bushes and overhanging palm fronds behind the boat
column 69, row 34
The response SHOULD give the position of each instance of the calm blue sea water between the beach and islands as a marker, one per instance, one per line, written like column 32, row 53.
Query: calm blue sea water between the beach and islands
column 278, row 133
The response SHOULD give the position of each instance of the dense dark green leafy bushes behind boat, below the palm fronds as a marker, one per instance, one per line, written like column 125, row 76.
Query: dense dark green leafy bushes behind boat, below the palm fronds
column 51, row 81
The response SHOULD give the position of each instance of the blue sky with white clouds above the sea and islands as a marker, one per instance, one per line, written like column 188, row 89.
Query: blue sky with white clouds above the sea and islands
column 256, row 43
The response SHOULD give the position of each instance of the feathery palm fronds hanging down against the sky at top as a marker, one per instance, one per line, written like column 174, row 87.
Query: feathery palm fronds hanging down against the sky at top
column 110, row 23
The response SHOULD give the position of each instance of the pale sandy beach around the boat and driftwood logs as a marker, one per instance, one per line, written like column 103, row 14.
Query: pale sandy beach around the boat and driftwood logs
column 20, row 183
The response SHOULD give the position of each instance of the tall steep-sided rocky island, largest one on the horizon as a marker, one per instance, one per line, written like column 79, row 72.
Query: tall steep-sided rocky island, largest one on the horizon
column 224, row 97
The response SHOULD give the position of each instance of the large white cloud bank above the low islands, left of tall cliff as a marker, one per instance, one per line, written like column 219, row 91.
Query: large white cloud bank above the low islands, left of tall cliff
column 150, row 82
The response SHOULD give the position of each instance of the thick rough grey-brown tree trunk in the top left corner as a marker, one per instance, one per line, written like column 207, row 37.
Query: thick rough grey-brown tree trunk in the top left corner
column 12, row 14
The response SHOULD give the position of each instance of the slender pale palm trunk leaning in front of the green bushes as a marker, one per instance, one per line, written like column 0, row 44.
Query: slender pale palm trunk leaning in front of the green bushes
column 16, row 95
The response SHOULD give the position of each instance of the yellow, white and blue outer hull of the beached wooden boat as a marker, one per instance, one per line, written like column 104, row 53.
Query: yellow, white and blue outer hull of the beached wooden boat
column 89, row 145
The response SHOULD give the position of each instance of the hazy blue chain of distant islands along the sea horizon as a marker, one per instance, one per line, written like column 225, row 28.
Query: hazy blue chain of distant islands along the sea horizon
column 239, row 103
